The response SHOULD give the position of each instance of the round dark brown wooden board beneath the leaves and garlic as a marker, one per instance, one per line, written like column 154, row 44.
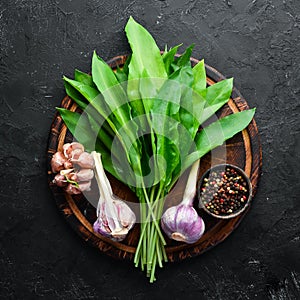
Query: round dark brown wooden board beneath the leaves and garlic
column 243, row 150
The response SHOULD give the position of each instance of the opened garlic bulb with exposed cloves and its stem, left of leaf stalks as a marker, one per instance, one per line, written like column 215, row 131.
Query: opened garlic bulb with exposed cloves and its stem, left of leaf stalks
column 114, row 216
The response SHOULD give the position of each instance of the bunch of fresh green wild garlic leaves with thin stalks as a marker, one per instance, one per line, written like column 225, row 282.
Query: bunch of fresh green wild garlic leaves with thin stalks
column 144, row 119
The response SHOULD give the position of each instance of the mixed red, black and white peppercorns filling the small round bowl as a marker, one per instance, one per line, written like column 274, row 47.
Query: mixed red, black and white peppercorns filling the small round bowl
column 224, row 191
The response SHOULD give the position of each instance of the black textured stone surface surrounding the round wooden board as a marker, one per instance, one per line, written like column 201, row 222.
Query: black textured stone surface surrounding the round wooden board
column 255, row 41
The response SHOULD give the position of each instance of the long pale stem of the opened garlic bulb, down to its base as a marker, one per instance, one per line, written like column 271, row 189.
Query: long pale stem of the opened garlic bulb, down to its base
column 105, row 191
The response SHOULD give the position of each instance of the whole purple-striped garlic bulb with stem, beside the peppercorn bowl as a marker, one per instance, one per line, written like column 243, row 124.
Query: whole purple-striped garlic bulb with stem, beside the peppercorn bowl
column 181, row 222
